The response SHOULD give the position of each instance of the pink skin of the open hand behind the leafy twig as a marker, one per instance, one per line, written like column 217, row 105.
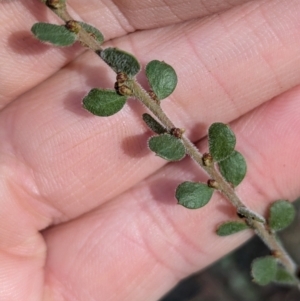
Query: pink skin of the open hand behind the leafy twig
column 87, row 211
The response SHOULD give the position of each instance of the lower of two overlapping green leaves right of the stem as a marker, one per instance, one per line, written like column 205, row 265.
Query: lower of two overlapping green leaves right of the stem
column 233, row 168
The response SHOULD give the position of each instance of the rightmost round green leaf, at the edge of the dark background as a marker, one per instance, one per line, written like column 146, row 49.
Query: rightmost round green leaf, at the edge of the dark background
column 281, row 215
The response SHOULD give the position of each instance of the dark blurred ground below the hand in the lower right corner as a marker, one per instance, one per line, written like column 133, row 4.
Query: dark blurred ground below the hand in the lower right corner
column 229, row 279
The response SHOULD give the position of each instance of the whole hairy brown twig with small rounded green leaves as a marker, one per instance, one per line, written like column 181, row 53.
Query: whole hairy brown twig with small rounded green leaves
column 224, row 165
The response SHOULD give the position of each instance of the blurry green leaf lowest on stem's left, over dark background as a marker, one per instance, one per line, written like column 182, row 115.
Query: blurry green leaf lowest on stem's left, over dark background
column 264, row 270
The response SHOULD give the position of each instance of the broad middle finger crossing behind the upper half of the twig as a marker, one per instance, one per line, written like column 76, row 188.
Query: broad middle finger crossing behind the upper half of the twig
column 79, row 161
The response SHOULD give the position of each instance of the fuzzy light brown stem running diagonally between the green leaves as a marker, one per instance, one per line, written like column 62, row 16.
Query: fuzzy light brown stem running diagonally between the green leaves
column 253, row 219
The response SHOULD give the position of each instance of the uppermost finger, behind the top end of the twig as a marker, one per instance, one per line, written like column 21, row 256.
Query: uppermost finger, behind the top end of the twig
column 25, row 62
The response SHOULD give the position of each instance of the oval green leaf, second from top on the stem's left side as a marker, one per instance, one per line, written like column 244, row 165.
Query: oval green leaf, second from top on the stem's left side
column 103, row 102
